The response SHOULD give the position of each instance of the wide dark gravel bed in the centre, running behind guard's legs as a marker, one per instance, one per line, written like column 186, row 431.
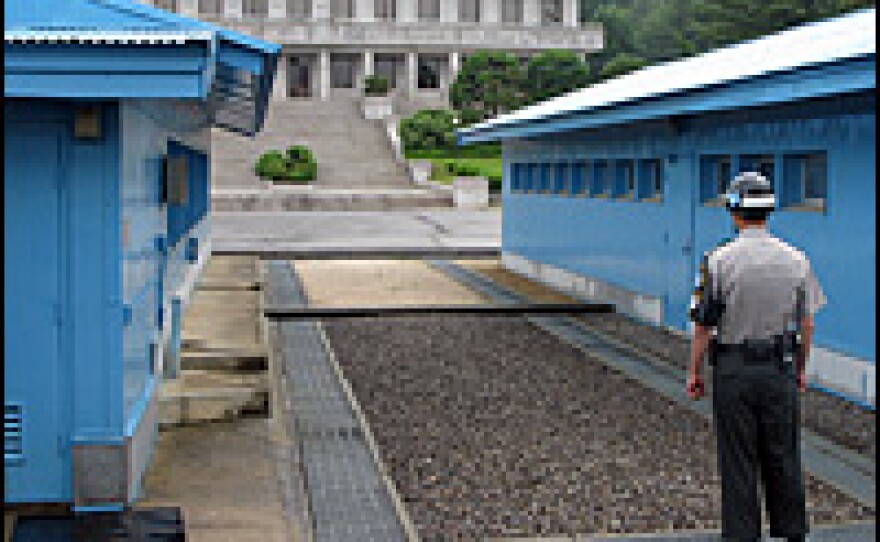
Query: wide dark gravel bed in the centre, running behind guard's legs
column 492, row 428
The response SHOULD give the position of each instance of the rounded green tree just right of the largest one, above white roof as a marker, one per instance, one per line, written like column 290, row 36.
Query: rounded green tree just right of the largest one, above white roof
column 554, row 73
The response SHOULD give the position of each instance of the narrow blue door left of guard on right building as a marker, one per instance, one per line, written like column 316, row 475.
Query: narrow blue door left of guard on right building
column 679, row 238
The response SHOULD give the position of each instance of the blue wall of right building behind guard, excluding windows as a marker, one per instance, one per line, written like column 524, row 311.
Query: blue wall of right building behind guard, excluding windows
column 653, row 247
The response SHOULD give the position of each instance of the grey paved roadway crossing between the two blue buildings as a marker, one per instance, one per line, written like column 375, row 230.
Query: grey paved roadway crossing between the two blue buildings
column 344, row 234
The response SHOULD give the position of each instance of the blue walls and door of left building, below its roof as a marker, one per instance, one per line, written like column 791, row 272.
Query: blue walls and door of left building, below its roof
column 89, row 281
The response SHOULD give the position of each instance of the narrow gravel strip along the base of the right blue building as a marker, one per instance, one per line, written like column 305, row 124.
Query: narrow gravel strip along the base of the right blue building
column 837, row 420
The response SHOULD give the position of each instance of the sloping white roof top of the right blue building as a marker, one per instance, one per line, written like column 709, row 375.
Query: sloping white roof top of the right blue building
column 836, row 39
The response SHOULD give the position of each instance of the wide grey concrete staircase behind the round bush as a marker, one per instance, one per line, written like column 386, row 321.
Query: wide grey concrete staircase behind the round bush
column 351, row 152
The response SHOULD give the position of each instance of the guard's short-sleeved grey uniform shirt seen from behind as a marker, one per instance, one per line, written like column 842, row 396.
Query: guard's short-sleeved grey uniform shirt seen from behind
column 760, row 280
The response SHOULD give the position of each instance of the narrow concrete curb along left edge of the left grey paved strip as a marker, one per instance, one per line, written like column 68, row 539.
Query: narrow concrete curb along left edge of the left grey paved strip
column 296, row 519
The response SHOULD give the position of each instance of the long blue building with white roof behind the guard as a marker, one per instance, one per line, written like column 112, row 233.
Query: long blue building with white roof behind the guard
column 612, row 192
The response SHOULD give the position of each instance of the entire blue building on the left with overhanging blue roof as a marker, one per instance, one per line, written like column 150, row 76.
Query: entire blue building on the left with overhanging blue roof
column 107, row 115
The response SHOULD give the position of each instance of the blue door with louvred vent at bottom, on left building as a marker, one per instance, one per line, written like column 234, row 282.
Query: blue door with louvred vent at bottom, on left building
column 36, row 459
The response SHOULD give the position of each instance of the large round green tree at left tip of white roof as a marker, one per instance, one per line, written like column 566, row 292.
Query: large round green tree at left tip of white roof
column 488, row 84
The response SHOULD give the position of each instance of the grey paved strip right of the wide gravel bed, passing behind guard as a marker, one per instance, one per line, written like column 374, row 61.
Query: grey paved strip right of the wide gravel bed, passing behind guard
column 827, row 461
